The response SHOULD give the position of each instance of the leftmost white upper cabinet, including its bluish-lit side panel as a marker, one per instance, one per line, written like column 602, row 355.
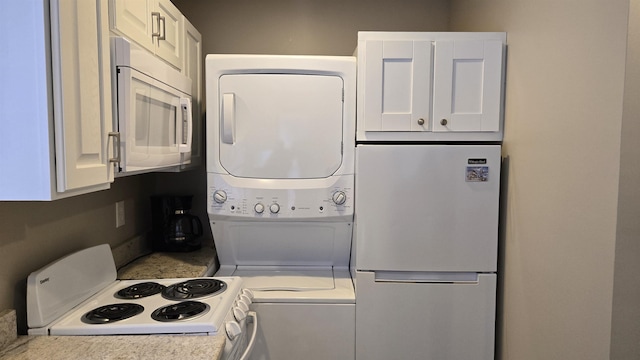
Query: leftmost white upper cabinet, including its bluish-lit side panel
column 55, row 99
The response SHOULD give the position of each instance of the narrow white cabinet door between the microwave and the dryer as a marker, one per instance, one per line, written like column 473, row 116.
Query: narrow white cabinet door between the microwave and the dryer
column 193, row 69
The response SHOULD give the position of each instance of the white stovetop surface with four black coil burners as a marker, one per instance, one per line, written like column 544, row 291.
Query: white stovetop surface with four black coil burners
column 171, row 306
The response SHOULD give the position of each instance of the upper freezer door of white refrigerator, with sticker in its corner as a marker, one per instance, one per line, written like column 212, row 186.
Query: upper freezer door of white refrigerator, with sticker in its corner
column 427, row 207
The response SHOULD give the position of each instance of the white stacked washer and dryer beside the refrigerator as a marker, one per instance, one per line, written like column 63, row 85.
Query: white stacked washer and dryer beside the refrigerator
column 280, row 176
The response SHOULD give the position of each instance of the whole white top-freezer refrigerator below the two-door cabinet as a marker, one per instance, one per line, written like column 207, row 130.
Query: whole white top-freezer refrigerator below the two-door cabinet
column 426, row 250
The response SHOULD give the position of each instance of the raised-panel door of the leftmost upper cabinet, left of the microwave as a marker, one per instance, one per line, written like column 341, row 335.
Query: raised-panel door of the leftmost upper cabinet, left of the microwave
column 81, row 92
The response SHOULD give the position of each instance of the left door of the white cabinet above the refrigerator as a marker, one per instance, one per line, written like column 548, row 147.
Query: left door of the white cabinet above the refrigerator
column 398, row 85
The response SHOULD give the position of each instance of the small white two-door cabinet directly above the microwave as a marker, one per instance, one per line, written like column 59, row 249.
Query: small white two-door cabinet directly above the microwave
column 154, row 24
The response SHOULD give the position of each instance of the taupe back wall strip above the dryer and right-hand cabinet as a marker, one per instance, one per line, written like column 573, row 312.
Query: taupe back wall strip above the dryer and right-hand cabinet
column 305, row 27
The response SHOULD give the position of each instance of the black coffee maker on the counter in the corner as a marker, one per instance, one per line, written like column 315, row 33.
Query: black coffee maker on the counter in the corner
column 174, row 228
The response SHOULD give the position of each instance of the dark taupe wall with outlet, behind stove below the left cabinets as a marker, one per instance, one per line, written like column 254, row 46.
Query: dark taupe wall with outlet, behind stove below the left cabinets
column 32, row 234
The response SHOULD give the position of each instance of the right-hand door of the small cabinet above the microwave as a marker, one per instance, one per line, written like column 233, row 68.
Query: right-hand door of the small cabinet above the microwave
column 169, row 42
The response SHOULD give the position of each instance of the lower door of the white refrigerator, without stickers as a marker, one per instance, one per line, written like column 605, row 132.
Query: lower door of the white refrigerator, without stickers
column 413, row 320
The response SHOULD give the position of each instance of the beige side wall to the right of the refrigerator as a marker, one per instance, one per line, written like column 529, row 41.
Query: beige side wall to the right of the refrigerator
column 565, row 83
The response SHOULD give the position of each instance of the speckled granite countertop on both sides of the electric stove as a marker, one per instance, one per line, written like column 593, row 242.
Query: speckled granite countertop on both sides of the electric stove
column 155, row 265
